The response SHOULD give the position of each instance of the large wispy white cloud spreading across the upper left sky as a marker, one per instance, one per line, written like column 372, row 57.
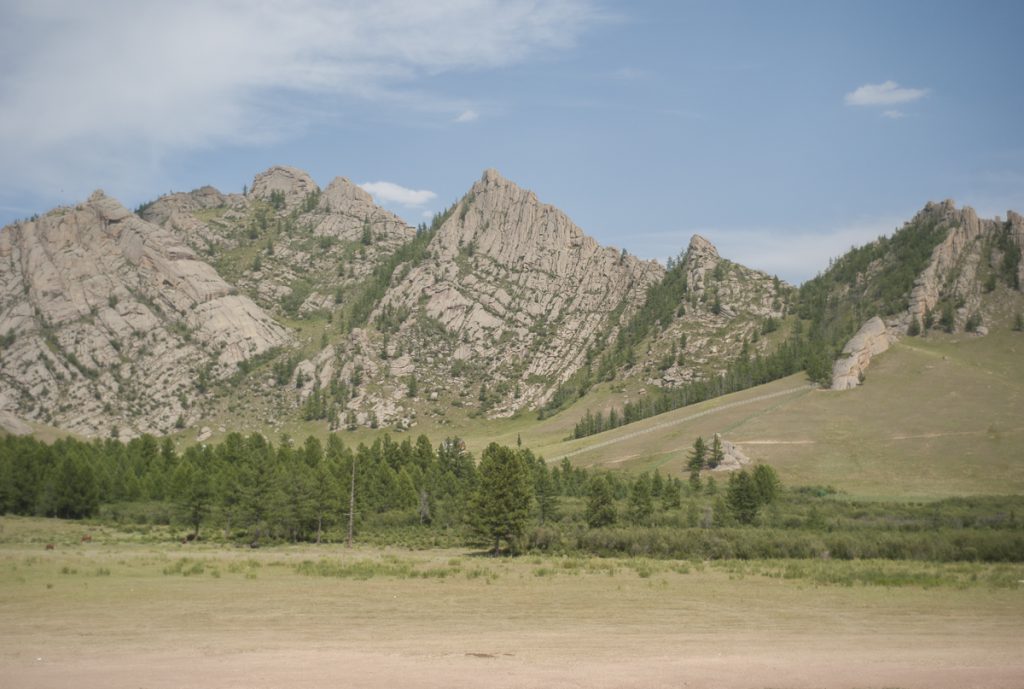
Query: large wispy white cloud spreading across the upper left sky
column 105, row 92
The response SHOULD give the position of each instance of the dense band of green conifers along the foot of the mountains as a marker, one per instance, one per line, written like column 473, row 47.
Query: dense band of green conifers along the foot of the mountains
column 252, row 490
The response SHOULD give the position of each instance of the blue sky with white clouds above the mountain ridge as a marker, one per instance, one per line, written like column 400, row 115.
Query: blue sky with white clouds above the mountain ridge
column 785, row 133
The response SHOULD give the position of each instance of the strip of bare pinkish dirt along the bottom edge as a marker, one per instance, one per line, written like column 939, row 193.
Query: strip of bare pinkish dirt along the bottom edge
column 794, row 663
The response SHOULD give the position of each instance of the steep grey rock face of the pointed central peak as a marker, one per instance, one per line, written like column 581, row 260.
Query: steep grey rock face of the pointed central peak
column 513, row 297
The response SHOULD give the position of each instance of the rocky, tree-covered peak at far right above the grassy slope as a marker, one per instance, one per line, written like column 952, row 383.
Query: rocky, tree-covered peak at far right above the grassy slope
column 946, row 270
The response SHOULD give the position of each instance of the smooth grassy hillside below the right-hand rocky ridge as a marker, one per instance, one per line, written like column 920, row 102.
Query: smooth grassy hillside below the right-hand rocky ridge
column 936, row 417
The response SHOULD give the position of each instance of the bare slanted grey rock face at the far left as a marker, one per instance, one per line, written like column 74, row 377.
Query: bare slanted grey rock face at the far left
column 113, row 321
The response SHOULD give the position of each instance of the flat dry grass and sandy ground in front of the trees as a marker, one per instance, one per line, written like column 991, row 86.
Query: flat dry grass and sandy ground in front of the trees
column 141, row 629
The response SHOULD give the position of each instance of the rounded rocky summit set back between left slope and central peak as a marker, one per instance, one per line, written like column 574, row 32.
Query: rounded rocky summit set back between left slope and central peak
column 289, row 245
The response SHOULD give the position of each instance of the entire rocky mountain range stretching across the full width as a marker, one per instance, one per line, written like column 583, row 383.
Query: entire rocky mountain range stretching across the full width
column 291, row 303
